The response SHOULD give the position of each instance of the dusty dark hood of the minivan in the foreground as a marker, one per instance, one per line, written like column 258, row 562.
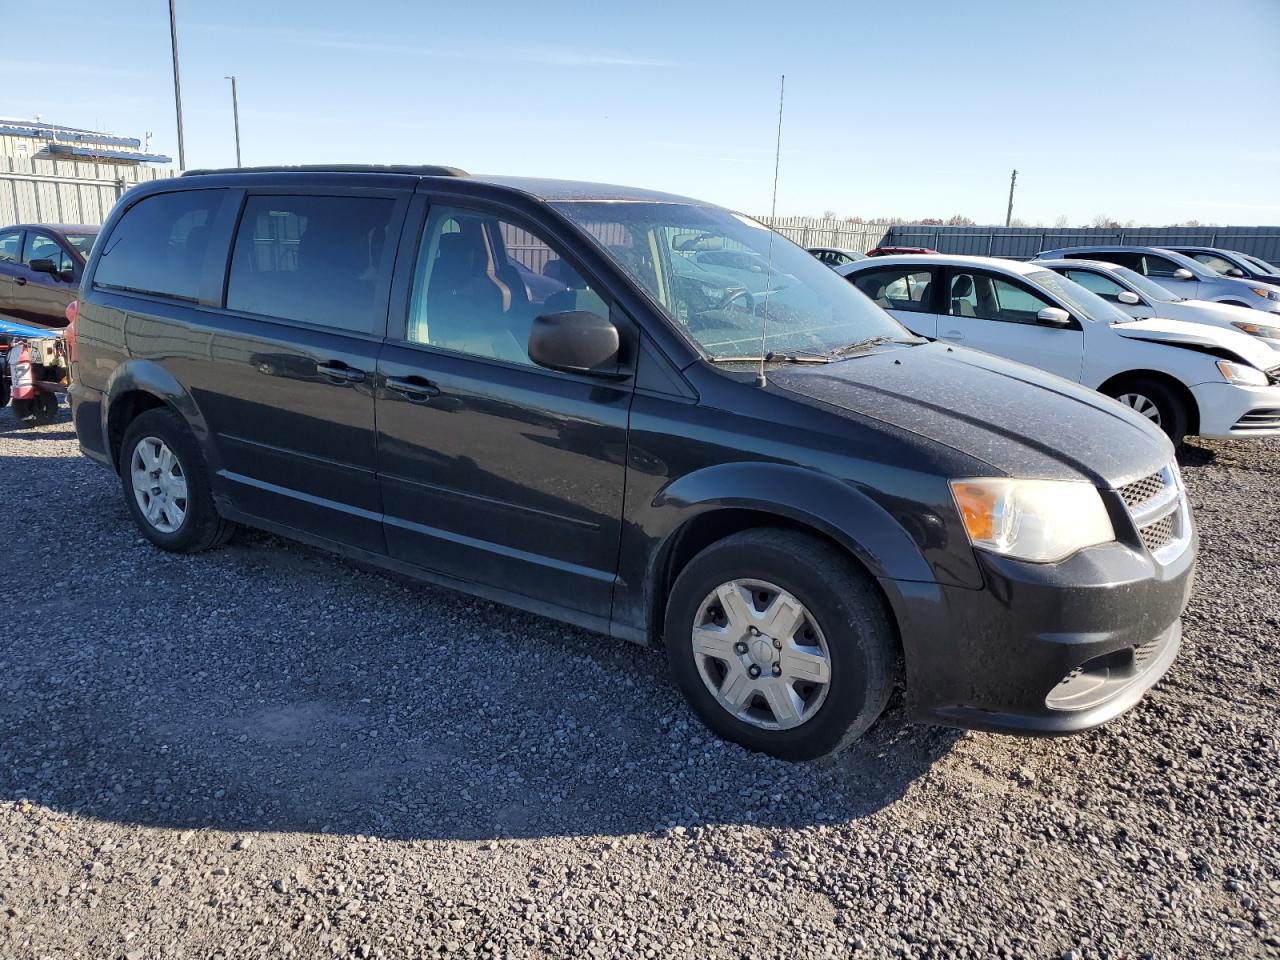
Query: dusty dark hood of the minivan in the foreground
column 1022, row 422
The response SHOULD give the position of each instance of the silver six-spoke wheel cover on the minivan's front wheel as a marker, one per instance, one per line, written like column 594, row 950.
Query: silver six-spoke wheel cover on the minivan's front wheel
column 762, row 655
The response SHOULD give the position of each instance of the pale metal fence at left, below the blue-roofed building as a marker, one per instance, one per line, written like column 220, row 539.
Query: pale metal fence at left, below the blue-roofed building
column 66, row 191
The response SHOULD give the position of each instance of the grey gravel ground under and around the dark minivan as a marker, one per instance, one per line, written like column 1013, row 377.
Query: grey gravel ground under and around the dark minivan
column 269, row 752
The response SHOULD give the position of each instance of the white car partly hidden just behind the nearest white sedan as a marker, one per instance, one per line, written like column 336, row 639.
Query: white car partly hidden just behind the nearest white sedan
column 1141, row 299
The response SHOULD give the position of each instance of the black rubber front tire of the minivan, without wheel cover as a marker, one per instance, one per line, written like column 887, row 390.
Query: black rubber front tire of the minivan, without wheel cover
column 843, row 602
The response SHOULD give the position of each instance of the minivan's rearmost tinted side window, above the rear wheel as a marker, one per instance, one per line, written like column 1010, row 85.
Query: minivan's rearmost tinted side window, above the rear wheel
column 159, row 245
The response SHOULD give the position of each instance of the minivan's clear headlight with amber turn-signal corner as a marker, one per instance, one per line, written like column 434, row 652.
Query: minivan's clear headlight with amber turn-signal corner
column 1034, row 520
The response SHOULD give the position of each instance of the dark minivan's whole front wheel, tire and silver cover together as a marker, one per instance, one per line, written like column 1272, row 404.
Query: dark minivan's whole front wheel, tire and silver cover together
column 780, row 643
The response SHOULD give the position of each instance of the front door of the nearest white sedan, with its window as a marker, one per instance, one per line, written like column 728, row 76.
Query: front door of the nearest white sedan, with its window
column 998, row 314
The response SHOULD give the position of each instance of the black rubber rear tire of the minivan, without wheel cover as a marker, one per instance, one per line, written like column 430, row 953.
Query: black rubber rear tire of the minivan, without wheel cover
column 202, row 528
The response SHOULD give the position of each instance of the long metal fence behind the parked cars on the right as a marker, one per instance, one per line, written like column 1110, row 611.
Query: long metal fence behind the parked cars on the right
column 1020, row 243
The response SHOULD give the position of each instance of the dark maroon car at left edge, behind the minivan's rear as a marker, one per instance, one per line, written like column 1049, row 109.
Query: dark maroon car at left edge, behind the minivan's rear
column 40, row 271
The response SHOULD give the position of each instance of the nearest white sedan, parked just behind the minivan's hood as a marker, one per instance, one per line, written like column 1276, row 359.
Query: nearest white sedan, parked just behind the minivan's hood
column 1186, row 378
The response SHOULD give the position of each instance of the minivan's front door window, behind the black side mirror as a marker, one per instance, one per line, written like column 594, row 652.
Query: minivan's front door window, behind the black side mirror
column 481, row 282
